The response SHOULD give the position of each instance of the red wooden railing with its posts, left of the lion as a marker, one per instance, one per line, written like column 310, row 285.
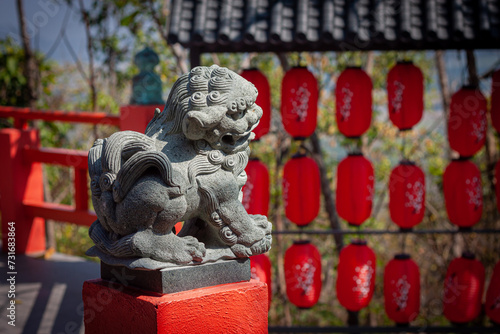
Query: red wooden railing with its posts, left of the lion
column 21, row 182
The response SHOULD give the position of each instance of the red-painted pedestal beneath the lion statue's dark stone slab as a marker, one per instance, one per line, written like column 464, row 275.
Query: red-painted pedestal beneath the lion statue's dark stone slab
column 229, row 308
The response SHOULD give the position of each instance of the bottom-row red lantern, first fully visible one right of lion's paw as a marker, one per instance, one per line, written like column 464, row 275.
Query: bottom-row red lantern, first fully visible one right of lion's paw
column 303, row 274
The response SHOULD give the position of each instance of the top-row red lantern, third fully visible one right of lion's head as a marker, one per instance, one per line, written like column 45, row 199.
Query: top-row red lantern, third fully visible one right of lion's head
column 405, row 93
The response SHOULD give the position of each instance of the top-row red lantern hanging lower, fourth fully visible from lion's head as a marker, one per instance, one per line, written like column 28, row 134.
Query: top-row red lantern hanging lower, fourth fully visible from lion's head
column 467, row 121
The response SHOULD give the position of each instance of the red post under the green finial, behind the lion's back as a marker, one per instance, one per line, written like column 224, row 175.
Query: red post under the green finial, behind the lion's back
column 137, row 117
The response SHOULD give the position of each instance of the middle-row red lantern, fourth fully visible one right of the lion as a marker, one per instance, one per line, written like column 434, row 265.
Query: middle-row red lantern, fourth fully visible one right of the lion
column 463, row 193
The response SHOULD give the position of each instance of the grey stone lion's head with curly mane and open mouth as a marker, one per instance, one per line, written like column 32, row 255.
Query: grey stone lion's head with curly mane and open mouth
column 212, row 104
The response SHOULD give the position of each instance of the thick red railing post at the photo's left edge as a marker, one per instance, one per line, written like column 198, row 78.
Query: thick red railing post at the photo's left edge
column 20, row 180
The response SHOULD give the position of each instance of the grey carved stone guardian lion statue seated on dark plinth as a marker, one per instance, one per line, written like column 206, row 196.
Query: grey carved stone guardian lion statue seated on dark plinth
column 188, row 166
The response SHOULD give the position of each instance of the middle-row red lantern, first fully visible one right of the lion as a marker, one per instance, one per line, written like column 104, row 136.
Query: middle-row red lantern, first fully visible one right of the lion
column 301, row 189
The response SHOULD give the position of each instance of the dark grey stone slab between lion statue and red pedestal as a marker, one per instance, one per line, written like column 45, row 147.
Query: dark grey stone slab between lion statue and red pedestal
column 170, row 280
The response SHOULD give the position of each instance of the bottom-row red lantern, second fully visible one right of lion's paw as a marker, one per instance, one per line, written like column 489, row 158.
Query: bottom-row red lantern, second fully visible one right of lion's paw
column 356, row 275
